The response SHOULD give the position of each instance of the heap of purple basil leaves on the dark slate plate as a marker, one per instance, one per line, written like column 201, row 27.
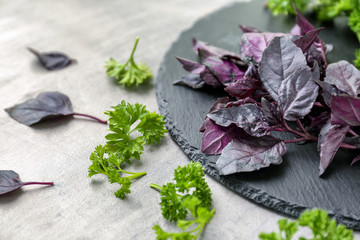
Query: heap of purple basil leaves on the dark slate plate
column 279, row 82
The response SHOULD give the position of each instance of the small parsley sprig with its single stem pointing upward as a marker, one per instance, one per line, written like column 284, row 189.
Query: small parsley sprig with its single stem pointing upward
column 129, row 73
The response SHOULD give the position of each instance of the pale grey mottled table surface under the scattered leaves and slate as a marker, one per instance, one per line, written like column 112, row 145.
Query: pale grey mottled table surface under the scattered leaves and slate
column 78, row 207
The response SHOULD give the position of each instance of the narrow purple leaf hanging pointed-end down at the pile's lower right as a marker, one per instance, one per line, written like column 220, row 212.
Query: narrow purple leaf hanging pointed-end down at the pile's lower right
column 330, row 139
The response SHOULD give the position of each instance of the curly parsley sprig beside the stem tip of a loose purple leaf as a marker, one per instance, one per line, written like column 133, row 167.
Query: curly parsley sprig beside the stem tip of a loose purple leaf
column 122, row 147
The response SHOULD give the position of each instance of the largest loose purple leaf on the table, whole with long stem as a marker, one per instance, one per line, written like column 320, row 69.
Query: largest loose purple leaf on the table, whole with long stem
column 45, row 106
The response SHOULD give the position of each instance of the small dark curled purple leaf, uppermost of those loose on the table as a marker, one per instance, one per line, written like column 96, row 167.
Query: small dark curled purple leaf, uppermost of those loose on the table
column 53, row 60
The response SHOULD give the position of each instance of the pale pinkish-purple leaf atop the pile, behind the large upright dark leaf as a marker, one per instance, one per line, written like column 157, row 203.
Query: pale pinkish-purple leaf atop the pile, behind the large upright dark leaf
column 252, row 45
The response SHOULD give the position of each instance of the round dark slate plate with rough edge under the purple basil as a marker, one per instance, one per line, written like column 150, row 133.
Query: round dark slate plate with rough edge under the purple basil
column 292, row 186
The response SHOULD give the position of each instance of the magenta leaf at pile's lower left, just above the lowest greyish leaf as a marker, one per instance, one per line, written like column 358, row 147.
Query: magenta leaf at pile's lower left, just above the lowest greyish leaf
column 215, row 137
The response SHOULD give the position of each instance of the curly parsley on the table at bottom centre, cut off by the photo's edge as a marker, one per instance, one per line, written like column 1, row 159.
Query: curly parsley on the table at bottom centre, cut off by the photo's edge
column 188, row 193
